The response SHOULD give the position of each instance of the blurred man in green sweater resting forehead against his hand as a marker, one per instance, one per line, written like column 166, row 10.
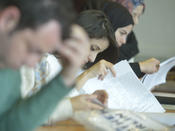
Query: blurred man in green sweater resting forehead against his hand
column 29, row 28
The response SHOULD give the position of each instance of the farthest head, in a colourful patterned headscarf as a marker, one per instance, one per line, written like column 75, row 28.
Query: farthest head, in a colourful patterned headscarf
column 135, row 7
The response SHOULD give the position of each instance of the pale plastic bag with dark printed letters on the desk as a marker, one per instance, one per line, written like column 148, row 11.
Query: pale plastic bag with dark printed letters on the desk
column 116, row 120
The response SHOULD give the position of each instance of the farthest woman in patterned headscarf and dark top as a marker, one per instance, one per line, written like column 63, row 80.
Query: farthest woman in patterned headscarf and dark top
column 130, row 48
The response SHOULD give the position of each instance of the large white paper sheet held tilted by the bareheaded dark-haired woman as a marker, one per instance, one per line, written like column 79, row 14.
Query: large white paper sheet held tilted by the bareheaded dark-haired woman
column 125, row 90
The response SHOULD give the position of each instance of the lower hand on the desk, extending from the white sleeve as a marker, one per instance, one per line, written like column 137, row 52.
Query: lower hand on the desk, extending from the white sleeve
column 84, row 102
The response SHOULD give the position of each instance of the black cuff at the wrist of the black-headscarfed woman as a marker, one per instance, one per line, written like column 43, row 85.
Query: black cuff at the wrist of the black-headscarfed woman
column 136, row 69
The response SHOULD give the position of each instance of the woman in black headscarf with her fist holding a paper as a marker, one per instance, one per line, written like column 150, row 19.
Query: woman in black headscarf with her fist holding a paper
column 112, row 9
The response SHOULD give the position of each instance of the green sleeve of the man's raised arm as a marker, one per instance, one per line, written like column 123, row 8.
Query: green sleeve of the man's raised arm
column 28, row 114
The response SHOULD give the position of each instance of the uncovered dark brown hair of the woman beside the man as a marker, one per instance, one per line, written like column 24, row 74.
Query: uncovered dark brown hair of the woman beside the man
column 97, row 26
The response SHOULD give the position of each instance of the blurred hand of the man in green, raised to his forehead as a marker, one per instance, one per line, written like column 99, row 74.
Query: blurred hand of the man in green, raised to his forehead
column 73, row 53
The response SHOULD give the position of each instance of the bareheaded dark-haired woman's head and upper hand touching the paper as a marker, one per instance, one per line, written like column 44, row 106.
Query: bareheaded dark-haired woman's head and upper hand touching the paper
column 102, row 38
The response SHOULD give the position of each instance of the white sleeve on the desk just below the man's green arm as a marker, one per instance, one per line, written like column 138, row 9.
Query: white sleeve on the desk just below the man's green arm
column 62, row 112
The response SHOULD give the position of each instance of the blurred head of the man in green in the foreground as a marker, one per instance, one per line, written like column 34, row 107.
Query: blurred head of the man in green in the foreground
column 30, row 28
